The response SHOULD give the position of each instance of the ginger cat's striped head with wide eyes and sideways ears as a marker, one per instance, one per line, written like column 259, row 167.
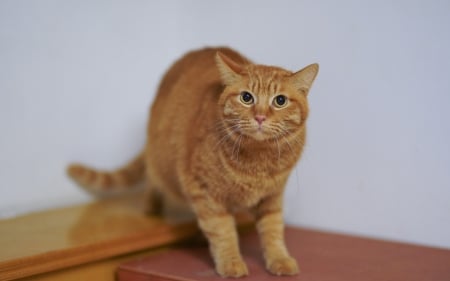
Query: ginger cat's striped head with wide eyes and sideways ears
column 263, row 102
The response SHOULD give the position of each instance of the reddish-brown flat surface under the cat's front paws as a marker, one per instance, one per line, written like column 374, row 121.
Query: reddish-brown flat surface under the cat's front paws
column 321, row 256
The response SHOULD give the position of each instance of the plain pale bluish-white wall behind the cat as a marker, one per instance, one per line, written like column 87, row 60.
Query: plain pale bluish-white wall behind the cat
column 77, row 78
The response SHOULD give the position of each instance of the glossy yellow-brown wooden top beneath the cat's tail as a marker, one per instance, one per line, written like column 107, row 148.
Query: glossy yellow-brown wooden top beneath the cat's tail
column 57, row 239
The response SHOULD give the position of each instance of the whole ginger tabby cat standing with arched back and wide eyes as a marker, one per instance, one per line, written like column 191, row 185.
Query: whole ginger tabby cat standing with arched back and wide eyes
column 223, row 135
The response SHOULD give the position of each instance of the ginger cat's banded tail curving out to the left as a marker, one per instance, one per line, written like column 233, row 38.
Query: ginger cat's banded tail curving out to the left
column 103, row 181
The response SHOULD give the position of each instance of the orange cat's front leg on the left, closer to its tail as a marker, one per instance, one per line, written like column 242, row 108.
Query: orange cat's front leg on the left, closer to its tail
column 219, row 228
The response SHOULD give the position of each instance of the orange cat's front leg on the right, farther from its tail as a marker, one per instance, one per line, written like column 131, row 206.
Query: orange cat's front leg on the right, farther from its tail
column 270, row 228
